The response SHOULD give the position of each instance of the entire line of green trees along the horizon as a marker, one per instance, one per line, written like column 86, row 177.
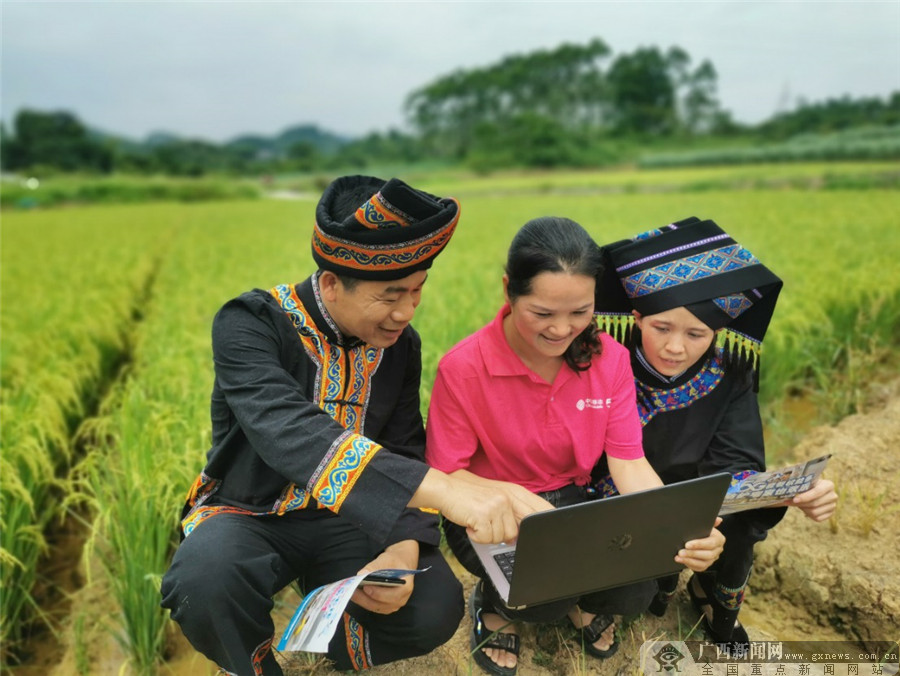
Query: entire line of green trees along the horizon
column 573, row 105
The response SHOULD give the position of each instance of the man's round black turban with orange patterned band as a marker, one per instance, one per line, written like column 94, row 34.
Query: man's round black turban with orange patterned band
column 389, row 232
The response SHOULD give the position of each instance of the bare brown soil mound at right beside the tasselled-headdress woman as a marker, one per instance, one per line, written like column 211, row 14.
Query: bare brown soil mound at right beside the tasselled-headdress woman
column 845, row 574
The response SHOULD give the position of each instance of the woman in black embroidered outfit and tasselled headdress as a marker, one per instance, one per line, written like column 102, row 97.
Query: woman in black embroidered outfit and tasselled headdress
column 693, row 307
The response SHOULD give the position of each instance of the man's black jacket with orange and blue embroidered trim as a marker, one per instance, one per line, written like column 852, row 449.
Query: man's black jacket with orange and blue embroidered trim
column 305, row 418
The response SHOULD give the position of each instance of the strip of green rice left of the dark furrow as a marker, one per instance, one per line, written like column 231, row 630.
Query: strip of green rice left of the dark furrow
column 60, row 338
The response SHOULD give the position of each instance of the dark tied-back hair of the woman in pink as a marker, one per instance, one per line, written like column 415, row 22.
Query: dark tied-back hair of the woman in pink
column 555, row 244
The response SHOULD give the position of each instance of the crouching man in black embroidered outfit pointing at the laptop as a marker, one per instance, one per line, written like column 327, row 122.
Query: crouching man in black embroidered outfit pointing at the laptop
column 316, row 470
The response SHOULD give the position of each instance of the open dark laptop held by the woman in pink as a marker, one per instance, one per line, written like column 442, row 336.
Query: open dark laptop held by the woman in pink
column 570, row 551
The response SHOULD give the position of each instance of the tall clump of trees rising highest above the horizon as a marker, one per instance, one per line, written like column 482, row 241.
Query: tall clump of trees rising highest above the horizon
column 561, row 106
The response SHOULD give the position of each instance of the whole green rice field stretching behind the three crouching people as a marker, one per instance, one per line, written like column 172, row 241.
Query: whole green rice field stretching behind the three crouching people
column 106, row 313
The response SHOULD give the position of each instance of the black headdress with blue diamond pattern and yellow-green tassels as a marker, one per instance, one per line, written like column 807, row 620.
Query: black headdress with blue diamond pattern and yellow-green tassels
column 693, row 264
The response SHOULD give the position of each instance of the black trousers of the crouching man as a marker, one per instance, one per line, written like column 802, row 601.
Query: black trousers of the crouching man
column 220, row 585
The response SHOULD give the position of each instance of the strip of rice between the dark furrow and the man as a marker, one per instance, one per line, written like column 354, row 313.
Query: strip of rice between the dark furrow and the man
column 150, row 440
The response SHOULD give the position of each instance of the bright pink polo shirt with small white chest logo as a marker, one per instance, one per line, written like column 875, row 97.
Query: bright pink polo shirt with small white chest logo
column 492, row 415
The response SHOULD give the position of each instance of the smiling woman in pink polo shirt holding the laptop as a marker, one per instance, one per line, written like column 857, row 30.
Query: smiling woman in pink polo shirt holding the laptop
column 535, row 398
